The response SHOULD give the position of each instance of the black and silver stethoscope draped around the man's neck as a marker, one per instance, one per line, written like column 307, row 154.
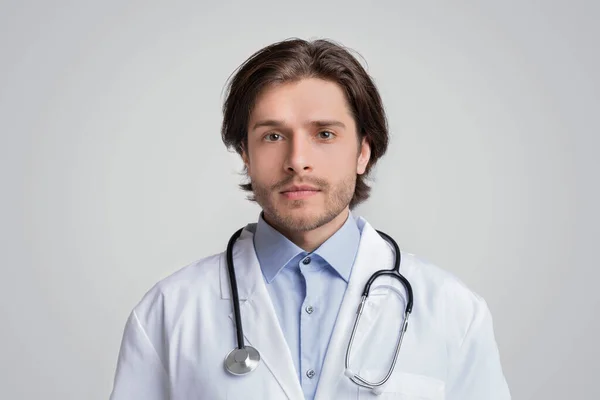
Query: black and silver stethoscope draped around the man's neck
column 244, row 359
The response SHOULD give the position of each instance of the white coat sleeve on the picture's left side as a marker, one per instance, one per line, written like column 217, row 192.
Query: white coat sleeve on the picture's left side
column 140, row 373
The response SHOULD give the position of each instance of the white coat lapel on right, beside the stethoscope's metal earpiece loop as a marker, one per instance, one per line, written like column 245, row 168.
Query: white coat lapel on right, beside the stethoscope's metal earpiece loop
column 373, row 254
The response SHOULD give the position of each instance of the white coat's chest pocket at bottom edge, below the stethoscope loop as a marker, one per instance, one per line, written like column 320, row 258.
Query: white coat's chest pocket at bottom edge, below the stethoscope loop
column 405, row 386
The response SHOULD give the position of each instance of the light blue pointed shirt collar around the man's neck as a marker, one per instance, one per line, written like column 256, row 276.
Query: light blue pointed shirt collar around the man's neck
column 275, row 251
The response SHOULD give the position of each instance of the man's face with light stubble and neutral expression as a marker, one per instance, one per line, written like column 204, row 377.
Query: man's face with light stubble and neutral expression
column 303, row 154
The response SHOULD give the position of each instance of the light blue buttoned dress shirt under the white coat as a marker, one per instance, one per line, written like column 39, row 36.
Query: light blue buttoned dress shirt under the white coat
column 307, row 290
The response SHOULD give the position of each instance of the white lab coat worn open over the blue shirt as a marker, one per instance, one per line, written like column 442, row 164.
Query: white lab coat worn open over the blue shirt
column 177, row 337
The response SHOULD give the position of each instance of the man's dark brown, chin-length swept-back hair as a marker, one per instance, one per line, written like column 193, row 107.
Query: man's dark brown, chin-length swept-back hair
column 295, row 59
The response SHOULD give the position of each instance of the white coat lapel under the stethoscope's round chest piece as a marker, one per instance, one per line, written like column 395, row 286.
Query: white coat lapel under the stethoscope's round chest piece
column 259, row 320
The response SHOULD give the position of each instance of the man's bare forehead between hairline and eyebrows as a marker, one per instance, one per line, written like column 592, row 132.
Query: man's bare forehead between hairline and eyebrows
column 309, row 98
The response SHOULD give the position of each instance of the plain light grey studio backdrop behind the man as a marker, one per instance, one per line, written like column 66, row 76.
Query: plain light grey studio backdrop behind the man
column 114, row 174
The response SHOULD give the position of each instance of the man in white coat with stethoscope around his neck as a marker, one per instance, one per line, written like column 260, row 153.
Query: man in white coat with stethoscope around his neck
column 309, row 125
